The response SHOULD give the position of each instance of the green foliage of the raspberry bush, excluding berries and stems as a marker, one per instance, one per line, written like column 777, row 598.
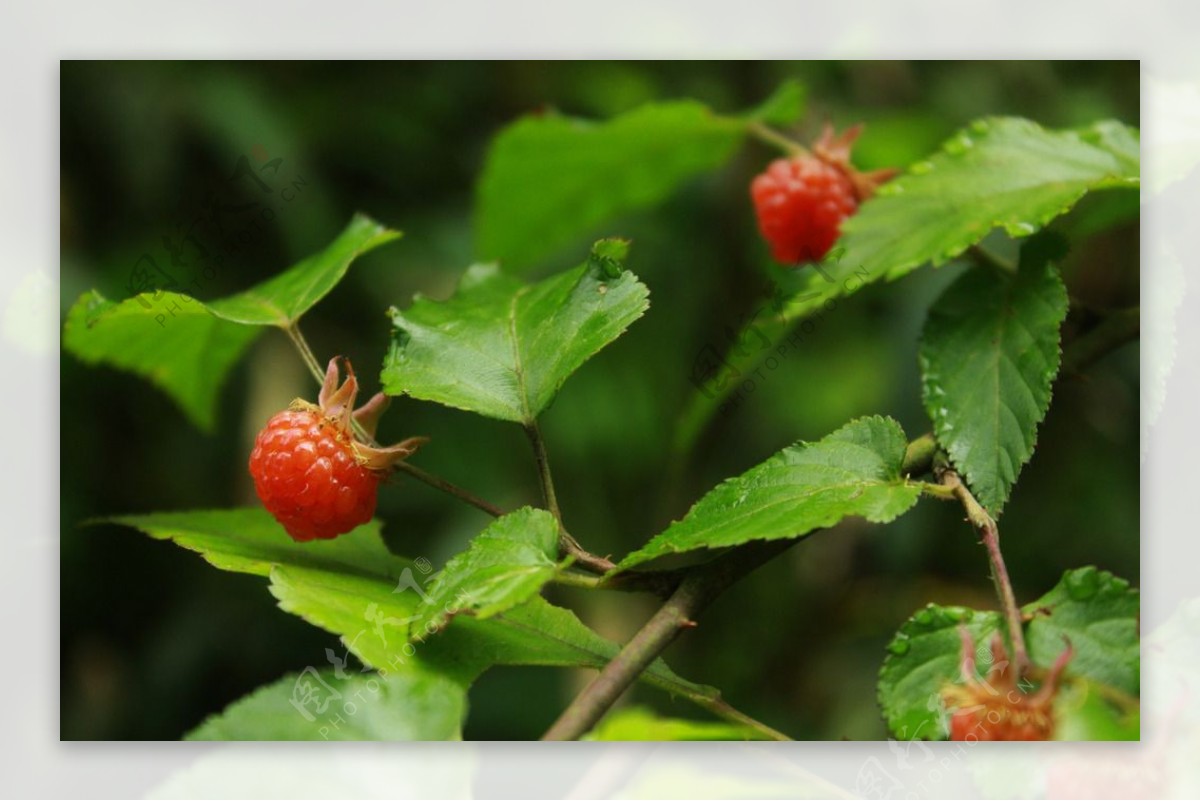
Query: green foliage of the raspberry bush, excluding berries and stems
column 503, row 348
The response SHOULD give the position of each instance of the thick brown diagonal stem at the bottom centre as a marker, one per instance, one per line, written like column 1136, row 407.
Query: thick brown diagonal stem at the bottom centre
column 701, row 587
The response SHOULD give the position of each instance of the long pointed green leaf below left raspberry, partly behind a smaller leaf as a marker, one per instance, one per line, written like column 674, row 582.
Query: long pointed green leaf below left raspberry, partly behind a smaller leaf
column 355, row 588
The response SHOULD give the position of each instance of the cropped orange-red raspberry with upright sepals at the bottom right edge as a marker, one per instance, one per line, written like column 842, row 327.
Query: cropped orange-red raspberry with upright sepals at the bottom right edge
column 1003, row 706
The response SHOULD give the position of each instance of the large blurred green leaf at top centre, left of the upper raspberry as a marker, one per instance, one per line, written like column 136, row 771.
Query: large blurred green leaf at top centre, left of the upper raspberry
column 551, row 179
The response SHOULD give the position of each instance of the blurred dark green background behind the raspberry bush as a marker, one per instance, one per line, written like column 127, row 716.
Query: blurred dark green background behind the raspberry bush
column 154, row 640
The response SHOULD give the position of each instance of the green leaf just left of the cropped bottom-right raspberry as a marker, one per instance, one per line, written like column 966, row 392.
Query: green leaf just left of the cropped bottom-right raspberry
column 923, row 658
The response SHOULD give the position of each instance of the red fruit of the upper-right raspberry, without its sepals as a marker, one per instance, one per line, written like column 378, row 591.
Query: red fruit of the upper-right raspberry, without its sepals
column 801, row 204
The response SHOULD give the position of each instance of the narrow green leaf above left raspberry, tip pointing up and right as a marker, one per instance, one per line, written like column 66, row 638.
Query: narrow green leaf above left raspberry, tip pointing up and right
column 284, row 299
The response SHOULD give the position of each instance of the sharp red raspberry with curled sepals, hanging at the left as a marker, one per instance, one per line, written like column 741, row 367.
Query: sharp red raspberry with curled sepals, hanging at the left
column 310, row 472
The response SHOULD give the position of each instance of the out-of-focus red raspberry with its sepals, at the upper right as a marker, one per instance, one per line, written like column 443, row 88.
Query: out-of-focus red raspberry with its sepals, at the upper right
column 802, row 202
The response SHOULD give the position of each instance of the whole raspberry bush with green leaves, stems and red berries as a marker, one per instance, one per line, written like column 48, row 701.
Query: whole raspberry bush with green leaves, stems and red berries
column 994, row 201
